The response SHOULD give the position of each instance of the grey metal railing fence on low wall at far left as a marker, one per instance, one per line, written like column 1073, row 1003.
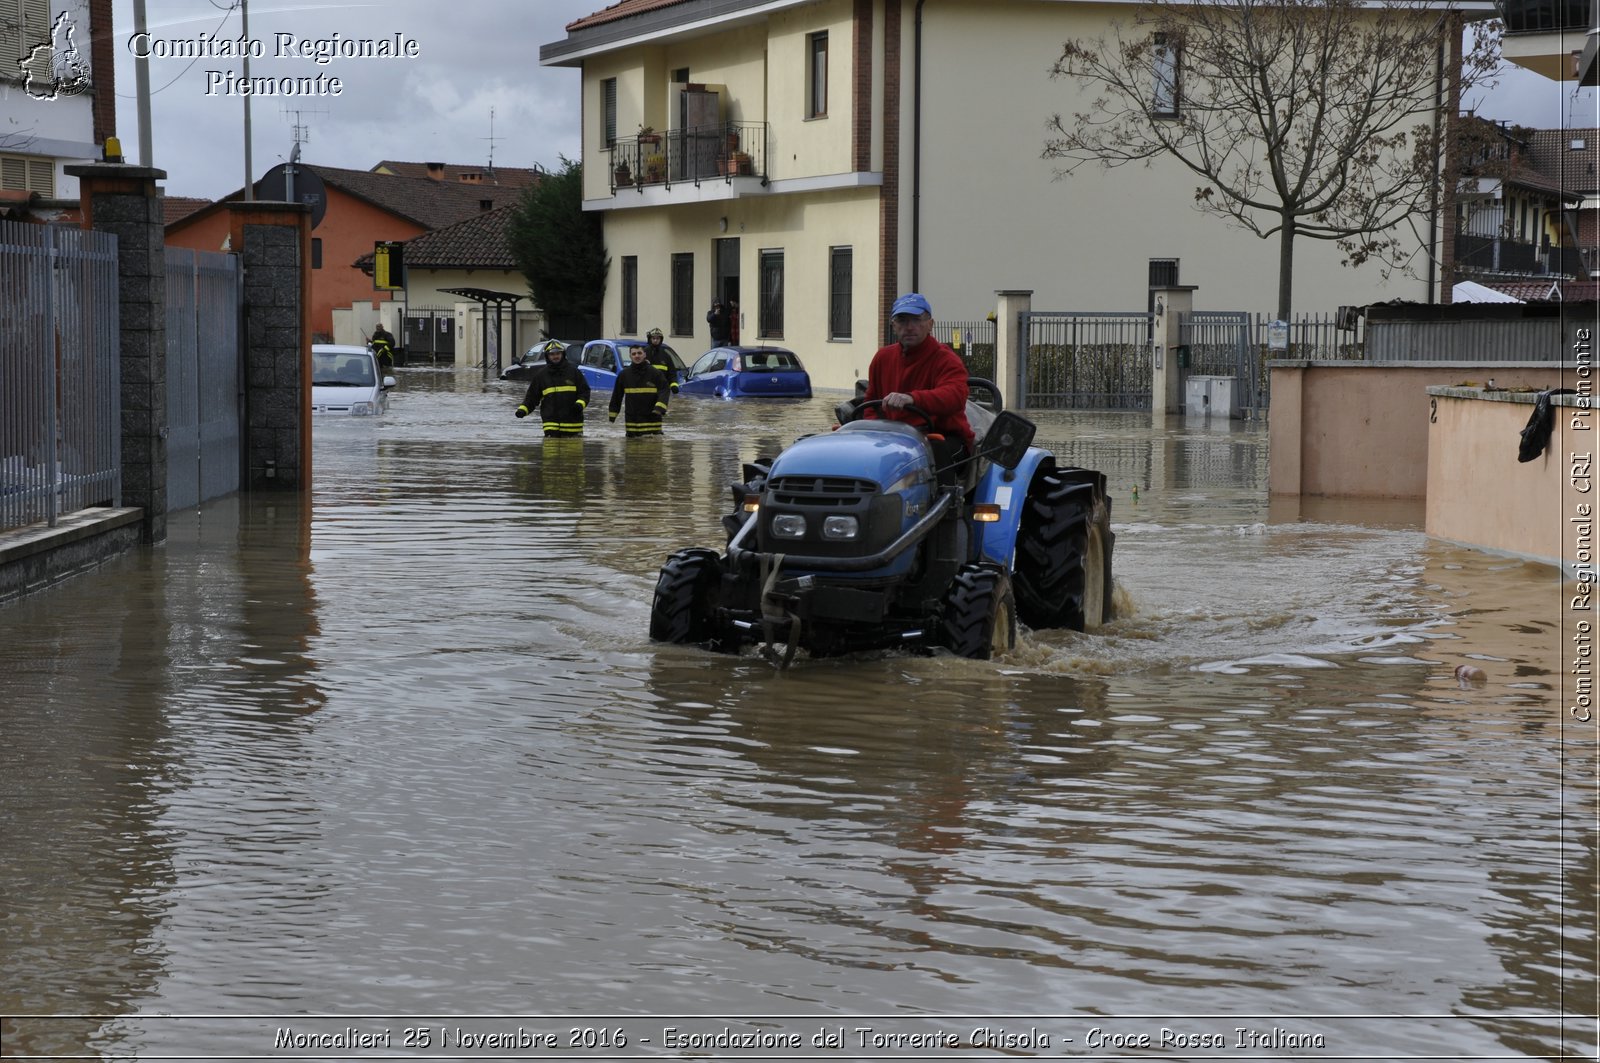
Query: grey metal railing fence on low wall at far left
column 60, row 374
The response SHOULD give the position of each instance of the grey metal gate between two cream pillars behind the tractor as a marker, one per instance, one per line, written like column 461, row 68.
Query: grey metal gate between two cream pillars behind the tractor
column 1087, row 361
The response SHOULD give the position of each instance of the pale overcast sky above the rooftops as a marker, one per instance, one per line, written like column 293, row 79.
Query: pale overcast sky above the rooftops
column 473, row 57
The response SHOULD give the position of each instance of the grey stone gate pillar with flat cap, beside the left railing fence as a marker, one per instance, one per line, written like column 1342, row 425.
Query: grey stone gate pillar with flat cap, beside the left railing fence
column 124, row 201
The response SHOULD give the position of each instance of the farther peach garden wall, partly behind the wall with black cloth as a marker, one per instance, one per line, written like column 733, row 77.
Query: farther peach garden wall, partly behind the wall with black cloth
column 1361, row 430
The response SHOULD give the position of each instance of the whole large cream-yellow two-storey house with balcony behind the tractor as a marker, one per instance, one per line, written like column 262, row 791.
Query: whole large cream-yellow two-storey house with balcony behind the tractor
column 812, row 159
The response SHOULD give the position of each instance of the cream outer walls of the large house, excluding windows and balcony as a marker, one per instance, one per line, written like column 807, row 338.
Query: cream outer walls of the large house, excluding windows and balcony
column 977, row 209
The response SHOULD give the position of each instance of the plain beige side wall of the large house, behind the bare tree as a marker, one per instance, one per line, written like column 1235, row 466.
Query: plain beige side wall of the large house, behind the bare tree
column 994, row 215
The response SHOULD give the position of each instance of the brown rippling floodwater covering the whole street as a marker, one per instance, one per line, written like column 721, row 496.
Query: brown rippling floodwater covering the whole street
column 407, row 760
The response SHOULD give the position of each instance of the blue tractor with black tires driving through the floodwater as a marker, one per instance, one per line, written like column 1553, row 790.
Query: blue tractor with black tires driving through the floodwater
column 858, row 540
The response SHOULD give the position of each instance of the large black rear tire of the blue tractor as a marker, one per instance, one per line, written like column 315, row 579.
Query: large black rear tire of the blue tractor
column 1063, row 553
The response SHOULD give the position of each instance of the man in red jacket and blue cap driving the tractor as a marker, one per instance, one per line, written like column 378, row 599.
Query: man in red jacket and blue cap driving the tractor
column 921, row 372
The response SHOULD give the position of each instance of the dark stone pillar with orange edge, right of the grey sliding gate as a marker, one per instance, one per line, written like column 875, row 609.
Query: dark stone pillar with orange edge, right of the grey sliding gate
column 274, row 243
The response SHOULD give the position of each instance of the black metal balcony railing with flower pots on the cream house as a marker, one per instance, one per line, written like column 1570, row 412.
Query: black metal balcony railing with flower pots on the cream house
column 690, row 156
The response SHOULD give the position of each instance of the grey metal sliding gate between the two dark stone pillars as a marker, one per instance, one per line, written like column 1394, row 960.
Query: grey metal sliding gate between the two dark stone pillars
column 206, row 403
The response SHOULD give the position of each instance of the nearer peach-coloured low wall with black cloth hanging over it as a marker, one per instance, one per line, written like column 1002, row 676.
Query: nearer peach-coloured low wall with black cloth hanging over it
column 1481, row 495
